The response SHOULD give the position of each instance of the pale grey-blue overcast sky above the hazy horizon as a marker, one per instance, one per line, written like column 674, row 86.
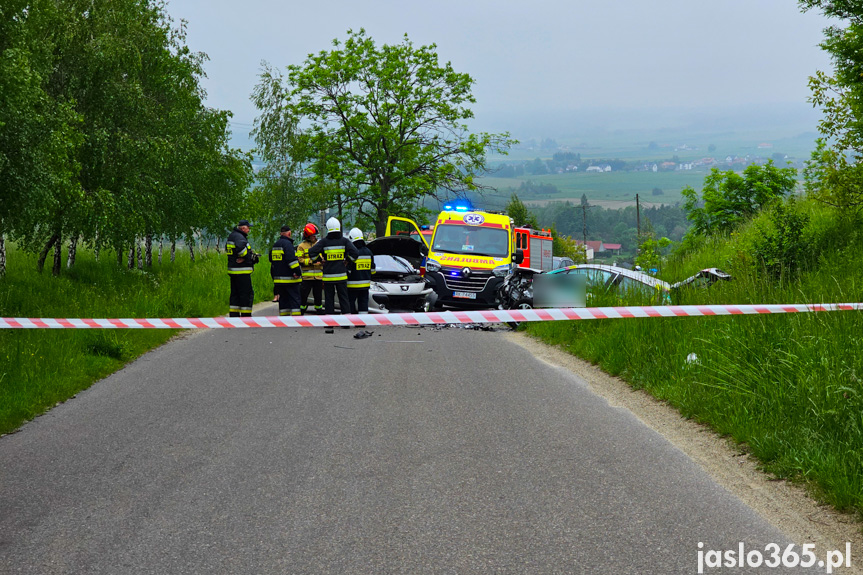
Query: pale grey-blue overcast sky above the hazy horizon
column 536, row 55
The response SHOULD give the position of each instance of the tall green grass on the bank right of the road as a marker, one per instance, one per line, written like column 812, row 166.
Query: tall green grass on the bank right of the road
column 787, row 386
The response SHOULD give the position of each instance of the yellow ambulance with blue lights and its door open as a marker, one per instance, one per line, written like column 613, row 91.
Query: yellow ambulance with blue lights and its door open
column 469, row 255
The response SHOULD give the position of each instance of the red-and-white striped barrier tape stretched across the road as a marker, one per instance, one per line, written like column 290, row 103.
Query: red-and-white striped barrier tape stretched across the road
column 430, row 318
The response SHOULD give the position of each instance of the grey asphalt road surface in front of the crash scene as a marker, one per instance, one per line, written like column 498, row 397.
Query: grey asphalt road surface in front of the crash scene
column 417, row 450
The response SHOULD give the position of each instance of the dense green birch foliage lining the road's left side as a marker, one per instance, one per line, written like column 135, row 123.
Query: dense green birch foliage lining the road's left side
column 103, row 132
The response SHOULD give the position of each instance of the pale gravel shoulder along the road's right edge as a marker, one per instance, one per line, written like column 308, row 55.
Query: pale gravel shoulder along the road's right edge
column 785, row 505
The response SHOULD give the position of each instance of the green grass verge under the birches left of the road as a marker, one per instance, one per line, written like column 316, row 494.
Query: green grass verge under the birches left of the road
column 39, row 368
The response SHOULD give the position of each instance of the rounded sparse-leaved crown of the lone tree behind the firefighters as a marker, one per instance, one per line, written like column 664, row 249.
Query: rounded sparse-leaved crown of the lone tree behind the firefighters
column 379, row 127
